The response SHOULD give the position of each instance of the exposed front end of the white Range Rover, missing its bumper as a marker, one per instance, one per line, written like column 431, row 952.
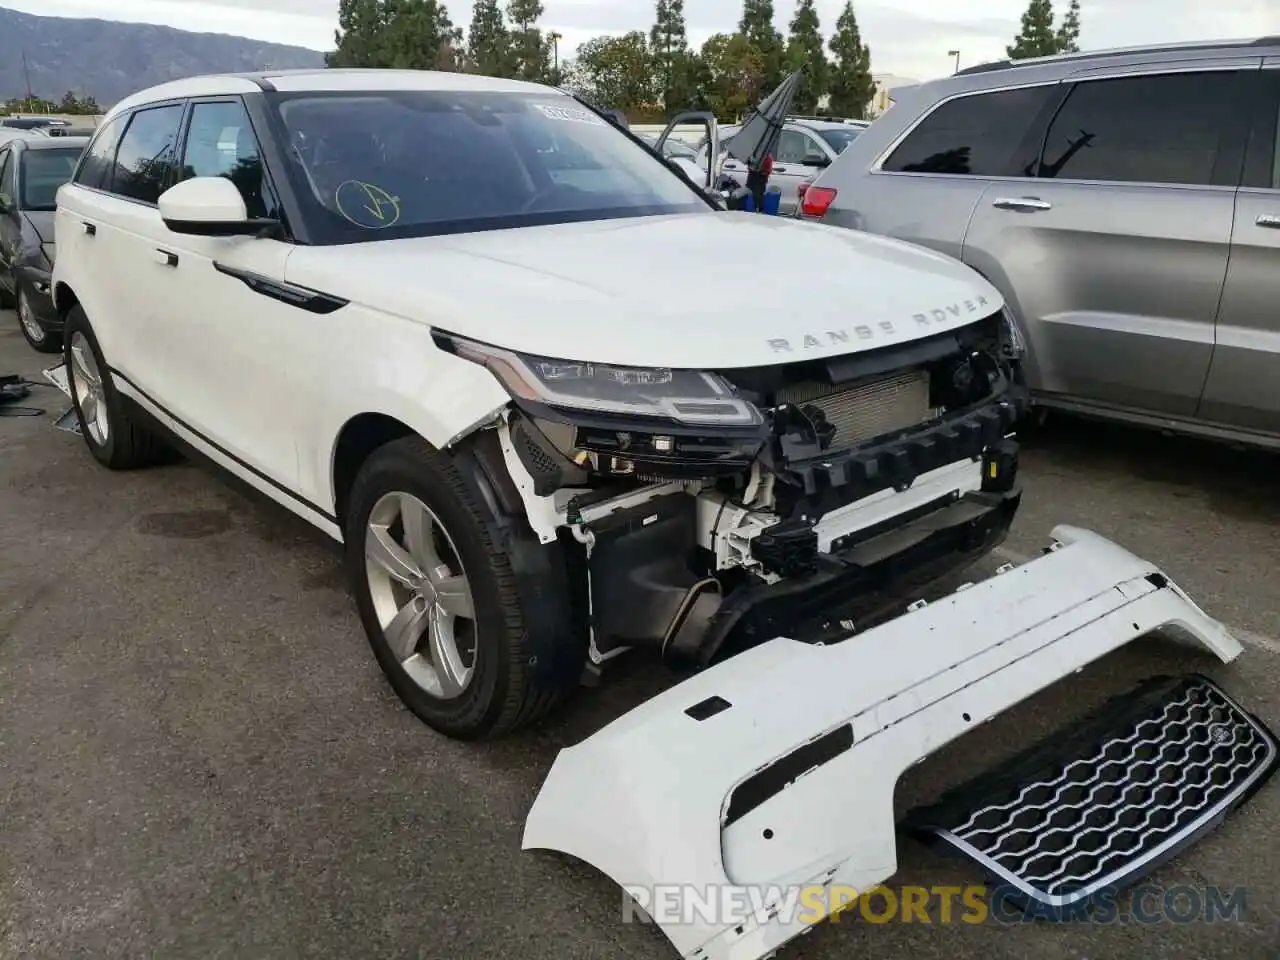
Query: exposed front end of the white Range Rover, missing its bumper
column 866, row 474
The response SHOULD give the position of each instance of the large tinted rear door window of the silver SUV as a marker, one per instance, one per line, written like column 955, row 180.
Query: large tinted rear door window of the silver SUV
column 1144, row 130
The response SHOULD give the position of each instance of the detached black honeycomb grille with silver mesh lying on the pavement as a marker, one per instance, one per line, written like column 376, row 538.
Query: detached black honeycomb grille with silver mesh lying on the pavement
column 1133, row 797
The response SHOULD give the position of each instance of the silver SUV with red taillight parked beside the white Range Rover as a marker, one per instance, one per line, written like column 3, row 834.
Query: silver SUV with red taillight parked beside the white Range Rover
column 1126, row 203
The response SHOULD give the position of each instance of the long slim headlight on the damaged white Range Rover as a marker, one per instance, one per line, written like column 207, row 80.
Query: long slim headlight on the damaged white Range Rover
column 688, row 397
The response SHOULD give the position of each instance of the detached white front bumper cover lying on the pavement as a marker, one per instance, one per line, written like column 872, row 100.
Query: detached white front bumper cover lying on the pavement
column 778, row 767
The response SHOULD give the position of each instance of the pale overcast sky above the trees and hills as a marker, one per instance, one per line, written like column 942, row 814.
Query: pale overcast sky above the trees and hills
column 908, row 38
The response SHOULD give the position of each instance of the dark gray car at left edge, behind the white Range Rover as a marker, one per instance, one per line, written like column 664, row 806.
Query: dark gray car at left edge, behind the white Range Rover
column 31, row 172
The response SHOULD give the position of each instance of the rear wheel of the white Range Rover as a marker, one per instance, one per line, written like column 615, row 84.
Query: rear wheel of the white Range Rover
column 124, row 445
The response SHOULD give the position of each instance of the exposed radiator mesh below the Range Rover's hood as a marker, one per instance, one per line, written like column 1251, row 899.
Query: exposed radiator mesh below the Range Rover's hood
column 868, row 409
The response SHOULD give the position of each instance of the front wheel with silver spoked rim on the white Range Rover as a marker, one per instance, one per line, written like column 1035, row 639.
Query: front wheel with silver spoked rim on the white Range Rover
column 500, row 696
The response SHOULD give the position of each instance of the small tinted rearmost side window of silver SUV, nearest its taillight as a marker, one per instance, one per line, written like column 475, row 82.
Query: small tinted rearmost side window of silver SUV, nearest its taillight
column 980, row 135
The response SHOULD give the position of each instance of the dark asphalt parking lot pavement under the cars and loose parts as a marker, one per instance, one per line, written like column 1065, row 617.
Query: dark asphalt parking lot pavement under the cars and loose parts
column 200, row 758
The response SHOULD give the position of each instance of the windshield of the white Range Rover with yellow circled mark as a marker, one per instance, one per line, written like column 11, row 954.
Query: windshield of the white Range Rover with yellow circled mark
column 394, row 164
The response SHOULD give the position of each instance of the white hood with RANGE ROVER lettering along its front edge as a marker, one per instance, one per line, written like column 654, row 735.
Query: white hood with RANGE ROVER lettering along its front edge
column 716, row 290
